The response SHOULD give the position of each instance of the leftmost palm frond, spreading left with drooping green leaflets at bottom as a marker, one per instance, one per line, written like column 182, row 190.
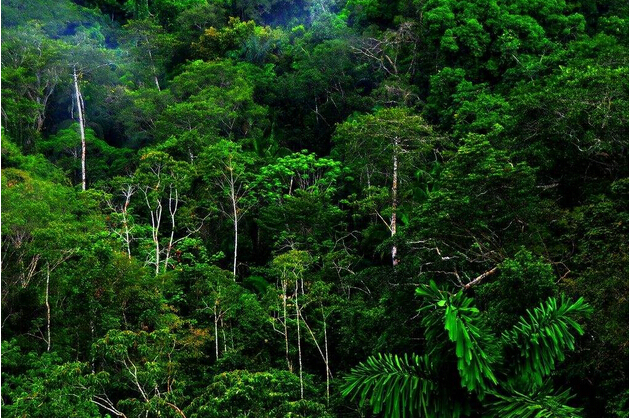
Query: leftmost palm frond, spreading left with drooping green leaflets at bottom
column 397, row 386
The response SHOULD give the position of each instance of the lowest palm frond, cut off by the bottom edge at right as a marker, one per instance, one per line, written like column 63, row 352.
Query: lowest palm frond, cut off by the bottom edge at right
column 542, row 403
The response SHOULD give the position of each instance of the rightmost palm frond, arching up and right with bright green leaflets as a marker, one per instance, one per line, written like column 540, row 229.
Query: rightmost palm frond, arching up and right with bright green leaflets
column 542, row 338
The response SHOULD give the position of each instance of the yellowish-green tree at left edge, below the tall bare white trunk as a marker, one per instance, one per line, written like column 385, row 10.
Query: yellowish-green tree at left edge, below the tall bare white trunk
column 45, row 224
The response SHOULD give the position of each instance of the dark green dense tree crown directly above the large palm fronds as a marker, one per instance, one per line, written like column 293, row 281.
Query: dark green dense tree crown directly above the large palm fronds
column 454, row 228
